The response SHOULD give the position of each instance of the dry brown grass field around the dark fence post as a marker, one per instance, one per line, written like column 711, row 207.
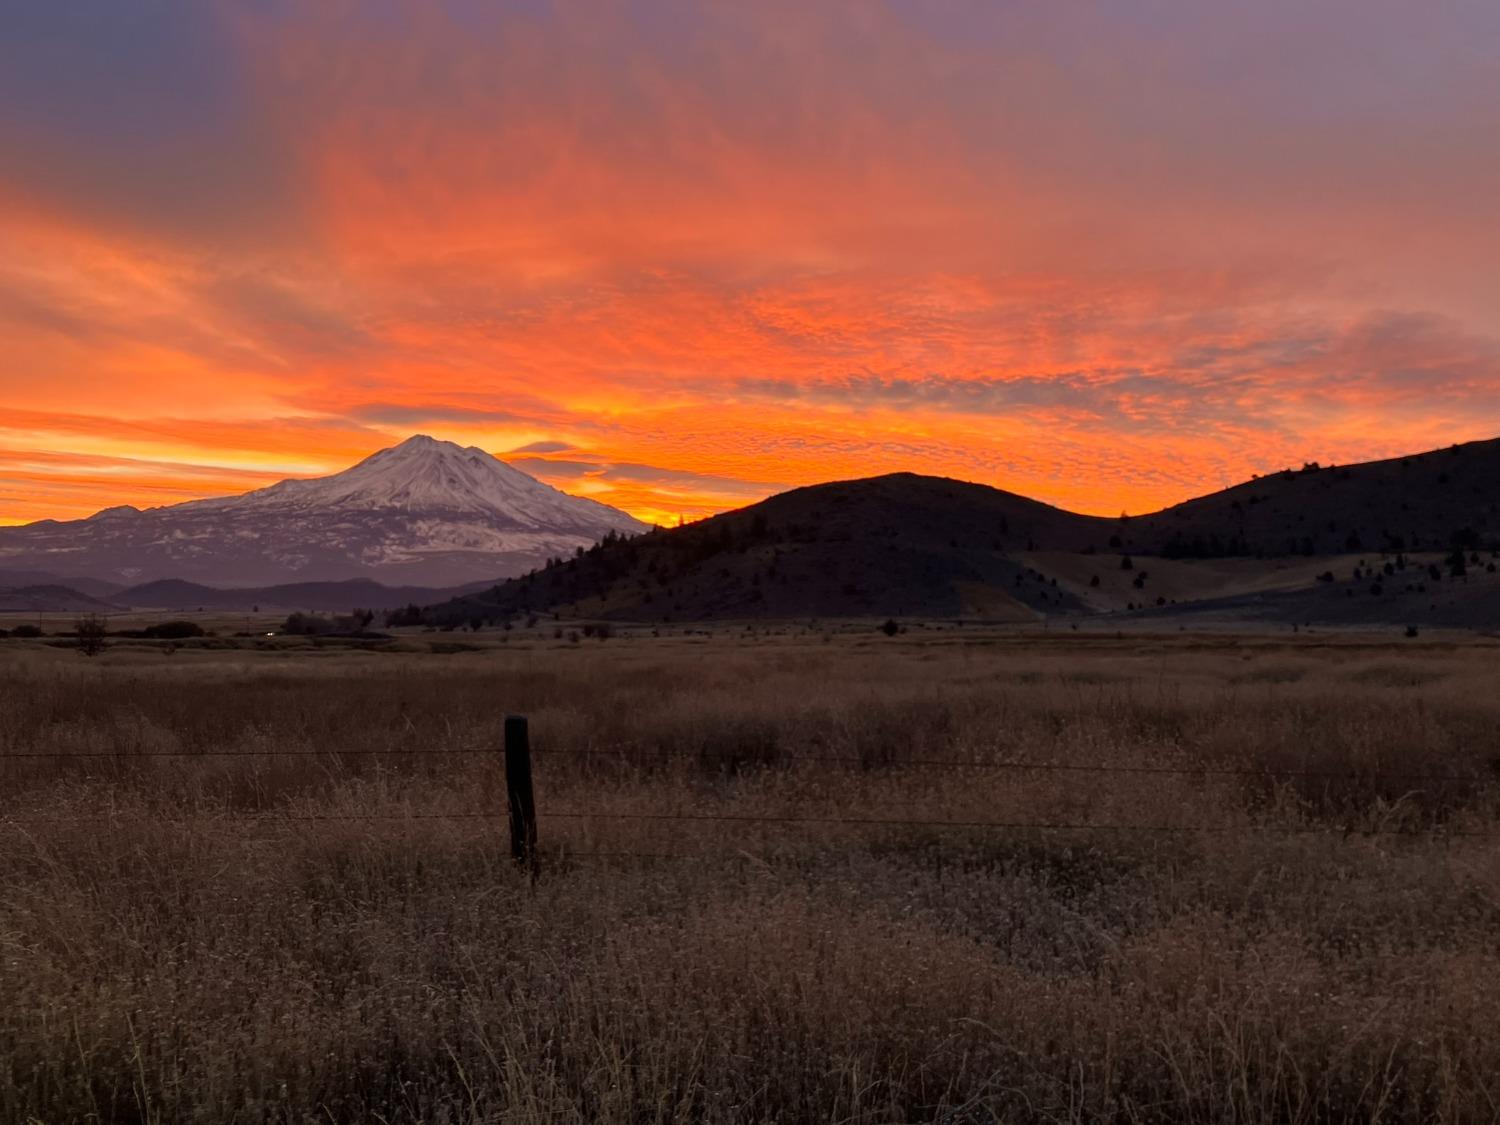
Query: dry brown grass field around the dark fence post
column 785, row 878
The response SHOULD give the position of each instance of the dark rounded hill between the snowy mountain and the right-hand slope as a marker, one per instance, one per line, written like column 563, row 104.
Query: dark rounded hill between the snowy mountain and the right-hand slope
column 899, row 545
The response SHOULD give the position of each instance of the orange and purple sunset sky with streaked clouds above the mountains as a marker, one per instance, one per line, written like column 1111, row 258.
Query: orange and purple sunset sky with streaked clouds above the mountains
column 680, row 256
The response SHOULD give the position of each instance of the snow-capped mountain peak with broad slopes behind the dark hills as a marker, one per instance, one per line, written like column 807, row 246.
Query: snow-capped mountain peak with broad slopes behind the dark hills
column 424, row 512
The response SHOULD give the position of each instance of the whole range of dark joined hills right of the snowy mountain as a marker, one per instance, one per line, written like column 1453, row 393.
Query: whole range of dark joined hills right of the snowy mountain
column 1286, row 547
